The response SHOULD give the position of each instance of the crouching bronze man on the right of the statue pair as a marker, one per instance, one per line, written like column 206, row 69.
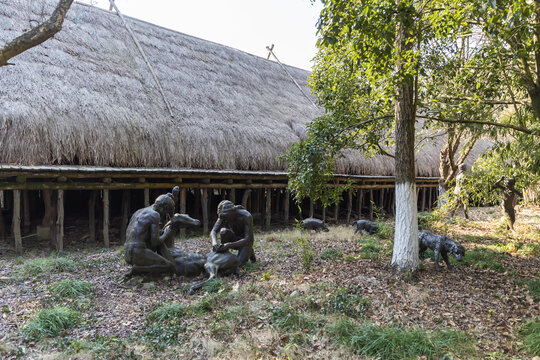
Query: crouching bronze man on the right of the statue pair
column 235, row 228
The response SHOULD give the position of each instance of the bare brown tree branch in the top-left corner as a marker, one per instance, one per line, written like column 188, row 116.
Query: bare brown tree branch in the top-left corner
column 36, row 35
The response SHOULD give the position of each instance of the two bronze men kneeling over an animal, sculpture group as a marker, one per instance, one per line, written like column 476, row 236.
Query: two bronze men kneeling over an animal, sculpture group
column 151, row 232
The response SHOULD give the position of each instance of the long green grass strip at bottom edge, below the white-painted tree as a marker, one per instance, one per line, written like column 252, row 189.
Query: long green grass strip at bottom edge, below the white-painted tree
column 398, row 343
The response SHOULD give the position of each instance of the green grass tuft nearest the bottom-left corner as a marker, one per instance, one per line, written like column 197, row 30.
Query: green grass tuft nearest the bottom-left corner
column 49, row 322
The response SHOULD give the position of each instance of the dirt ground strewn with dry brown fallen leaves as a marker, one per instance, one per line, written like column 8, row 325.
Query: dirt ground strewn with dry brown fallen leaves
column 488, row 300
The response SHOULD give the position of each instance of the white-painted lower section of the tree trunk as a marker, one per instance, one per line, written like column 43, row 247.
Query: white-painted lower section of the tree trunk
column 405, row 254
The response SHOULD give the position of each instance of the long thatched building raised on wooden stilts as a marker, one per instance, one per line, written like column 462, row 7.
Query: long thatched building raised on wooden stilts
column 86, row 117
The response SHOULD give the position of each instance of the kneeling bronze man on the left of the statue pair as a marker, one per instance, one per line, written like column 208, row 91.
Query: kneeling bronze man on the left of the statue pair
column 143, row 238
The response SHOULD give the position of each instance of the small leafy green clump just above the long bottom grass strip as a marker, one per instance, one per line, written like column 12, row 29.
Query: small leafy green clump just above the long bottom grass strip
column 347, row 301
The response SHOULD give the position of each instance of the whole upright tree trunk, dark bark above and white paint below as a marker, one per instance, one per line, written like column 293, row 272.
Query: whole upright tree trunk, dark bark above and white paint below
column 405, row 254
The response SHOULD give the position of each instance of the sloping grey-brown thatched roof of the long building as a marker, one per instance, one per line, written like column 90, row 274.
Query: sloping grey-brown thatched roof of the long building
column 87, row 97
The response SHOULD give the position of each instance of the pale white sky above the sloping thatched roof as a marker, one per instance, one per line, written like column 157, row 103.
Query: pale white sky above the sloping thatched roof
column 247, row 25
